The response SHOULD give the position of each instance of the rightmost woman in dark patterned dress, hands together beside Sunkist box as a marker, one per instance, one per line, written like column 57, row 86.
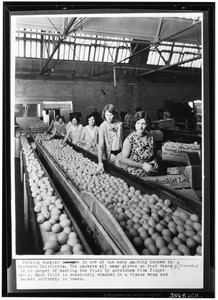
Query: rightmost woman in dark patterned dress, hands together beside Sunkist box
column 138, row 148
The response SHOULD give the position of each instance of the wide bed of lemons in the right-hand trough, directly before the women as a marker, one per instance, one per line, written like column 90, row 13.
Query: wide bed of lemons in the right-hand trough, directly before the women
column 152, row 224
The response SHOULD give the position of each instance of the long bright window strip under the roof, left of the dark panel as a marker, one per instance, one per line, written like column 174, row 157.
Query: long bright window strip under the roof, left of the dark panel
column 37, row 44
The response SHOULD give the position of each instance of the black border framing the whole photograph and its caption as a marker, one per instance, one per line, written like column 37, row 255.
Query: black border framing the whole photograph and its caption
column 208, row 10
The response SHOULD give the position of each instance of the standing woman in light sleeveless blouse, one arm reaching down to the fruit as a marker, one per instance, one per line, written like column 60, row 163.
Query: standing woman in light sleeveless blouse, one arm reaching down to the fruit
column 110, row 136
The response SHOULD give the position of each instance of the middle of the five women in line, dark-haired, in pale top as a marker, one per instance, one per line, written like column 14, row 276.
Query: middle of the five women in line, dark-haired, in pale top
column 90, row 133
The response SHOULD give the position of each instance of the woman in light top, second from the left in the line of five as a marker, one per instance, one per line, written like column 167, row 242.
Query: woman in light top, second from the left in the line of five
column 74, row 130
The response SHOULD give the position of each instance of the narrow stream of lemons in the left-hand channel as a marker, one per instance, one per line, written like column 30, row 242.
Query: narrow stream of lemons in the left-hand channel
column 50, row 210
